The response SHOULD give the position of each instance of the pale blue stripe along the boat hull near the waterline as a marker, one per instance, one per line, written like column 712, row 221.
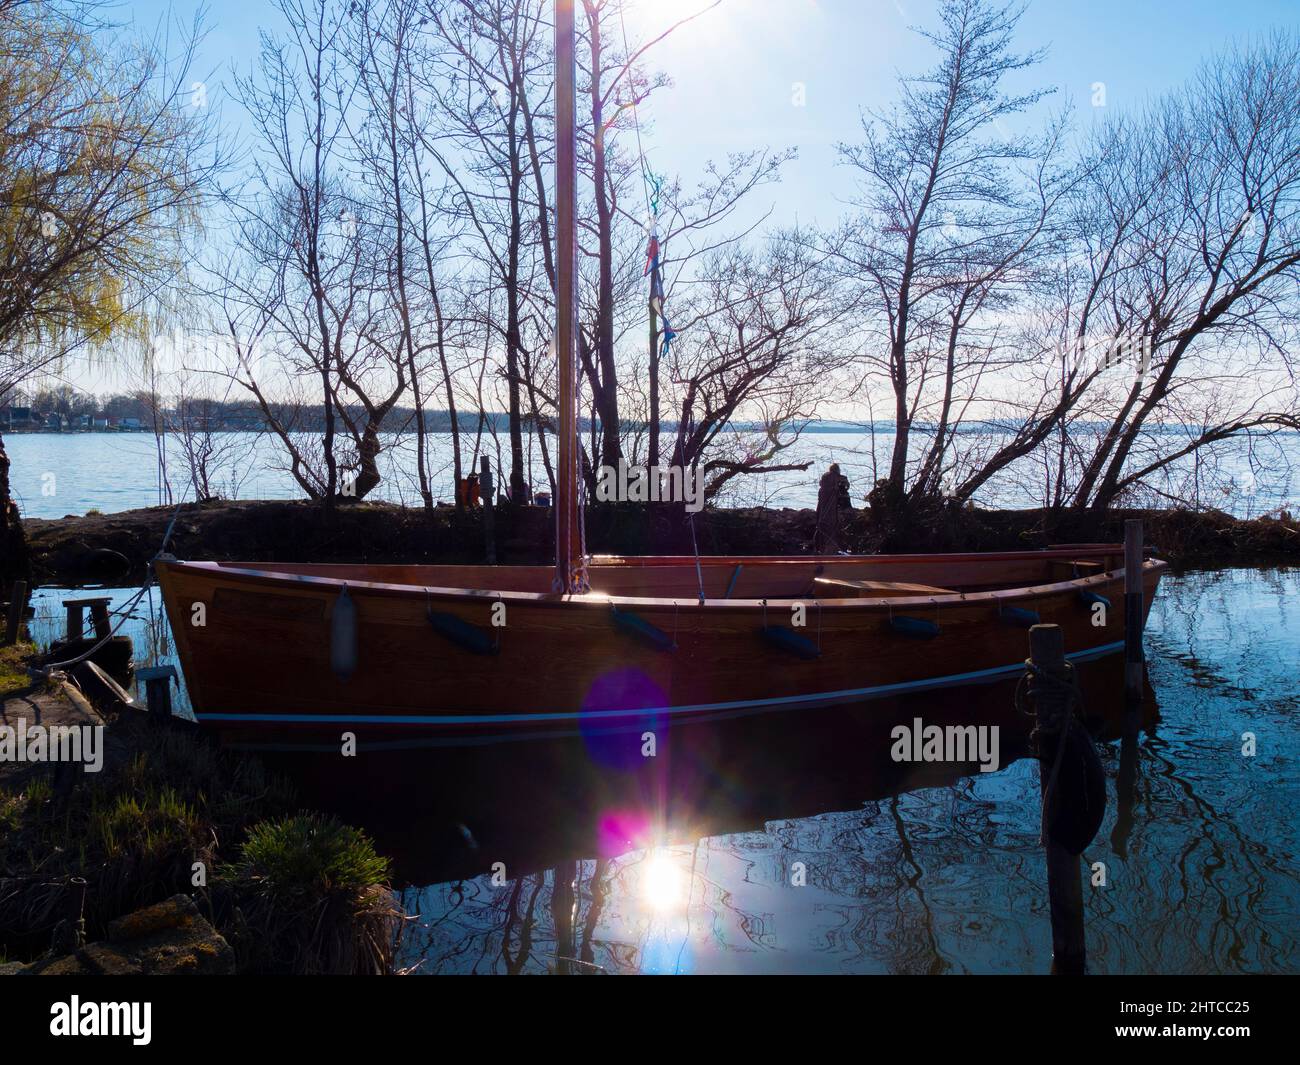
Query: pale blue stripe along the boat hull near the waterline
column 818, row 699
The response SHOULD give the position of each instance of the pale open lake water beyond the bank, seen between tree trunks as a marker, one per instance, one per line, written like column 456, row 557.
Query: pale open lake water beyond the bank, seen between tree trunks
column 60, row 474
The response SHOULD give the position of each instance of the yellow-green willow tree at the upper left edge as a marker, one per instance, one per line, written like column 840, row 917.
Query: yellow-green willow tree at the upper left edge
column 101, row 174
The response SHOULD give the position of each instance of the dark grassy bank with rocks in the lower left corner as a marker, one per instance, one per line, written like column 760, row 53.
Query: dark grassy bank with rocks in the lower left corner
column 99, row 861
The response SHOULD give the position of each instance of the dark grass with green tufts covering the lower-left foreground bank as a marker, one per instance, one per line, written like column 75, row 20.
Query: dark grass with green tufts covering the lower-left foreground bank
column 293, row 894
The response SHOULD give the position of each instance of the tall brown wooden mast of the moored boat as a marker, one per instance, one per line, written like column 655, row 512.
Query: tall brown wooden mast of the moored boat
column 570, row 577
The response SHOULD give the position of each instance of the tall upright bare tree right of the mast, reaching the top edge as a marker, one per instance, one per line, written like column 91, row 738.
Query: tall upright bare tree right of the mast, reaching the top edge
column 941, row 215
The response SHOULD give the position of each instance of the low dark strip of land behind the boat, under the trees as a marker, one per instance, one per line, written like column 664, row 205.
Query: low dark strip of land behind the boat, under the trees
column 116, row 547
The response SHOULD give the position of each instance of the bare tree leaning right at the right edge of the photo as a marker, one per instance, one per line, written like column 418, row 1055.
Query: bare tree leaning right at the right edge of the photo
column 1208, row 275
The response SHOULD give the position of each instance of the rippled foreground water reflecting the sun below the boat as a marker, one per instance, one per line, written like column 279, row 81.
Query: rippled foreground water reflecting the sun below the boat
column 544, row 858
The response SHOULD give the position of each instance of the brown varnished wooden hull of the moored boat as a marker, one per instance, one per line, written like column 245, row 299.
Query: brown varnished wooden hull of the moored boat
column 773, row 634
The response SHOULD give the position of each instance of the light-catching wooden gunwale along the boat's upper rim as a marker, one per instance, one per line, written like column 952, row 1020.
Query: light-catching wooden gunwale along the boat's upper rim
column 1032, row 592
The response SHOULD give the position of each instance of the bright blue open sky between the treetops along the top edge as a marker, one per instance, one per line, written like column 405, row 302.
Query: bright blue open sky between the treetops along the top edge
column 742, row 71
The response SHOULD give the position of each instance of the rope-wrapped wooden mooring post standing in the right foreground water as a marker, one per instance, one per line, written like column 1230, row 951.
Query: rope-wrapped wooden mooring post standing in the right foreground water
column 1052, row 711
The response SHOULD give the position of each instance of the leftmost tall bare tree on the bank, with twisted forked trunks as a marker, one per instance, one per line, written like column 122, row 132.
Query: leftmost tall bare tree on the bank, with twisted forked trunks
column 317, row 253
